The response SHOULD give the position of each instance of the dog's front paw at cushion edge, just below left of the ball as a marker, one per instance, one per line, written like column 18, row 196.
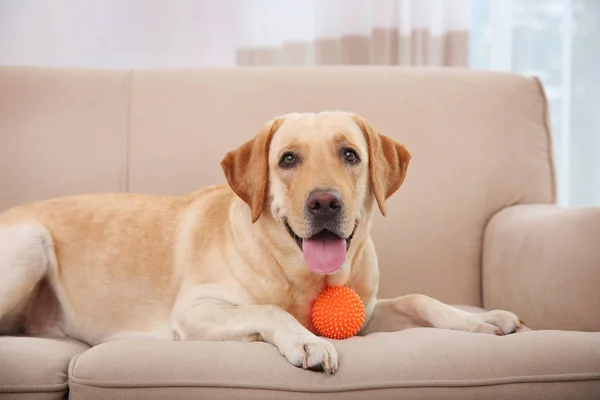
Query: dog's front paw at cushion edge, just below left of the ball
column 310, row 352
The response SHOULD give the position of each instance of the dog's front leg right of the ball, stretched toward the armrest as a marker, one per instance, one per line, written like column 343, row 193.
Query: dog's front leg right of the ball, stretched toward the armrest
column 421, row 311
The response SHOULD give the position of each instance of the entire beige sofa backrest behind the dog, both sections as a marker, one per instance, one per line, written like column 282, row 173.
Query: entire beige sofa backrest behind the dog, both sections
column 479, row 141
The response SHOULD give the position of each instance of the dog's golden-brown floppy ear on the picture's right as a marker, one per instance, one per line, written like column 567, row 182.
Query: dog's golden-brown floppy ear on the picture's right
column 388, row 162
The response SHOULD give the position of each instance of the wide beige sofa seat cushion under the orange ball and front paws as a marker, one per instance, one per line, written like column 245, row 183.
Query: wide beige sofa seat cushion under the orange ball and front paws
column 419, row 363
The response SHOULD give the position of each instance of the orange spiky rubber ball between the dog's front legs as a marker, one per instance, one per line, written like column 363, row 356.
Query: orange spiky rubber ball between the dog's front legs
column 337, row 313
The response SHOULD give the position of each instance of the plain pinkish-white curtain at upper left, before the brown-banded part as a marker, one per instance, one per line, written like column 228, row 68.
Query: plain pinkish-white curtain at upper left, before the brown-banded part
column 118, row 33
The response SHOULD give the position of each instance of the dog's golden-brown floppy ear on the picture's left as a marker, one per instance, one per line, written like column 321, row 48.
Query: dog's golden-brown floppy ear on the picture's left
column 247, row 169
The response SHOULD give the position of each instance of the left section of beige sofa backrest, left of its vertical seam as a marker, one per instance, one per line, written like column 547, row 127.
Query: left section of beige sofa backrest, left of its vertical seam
column 61, row 132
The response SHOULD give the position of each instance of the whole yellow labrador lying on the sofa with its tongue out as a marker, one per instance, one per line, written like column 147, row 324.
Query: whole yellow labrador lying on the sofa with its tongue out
column 241, row 261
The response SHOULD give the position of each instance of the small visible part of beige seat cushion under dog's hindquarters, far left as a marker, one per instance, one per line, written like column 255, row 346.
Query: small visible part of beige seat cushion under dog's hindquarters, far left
column 35, row 368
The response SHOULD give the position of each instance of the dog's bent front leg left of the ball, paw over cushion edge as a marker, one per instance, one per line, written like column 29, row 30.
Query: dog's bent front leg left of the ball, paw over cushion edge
column 203, row 318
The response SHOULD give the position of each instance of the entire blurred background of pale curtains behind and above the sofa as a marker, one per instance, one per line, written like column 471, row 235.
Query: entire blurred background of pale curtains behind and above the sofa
column 556, row 40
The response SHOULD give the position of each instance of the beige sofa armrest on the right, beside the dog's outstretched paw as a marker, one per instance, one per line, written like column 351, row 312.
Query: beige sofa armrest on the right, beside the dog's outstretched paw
column 542, row 262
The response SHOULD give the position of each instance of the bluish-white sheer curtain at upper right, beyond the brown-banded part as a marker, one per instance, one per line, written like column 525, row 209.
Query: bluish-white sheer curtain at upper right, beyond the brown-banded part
column 556, row 40
